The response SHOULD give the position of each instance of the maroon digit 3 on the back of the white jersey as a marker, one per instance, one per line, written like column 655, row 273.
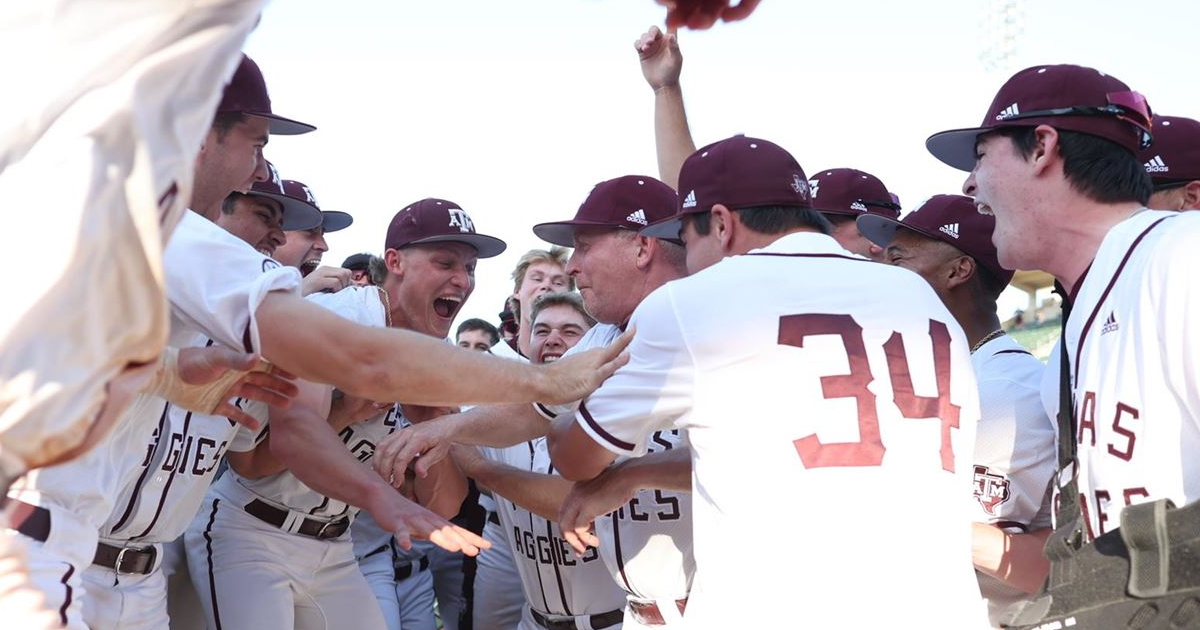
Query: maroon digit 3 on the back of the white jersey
column 869, row 449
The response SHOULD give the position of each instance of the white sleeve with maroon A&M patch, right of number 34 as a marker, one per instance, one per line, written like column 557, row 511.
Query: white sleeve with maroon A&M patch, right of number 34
column 1015, row 455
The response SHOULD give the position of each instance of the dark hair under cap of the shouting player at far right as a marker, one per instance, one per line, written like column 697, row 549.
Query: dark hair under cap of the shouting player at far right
column 1099, row 169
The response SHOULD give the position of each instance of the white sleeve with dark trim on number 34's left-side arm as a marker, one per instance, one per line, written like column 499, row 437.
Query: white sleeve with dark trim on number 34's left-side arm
column 652, row 392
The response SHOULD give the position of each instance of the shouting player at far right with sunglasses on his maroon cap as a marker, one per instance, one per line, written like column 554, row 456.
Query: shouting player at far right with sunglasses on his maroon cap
column 1125, row 269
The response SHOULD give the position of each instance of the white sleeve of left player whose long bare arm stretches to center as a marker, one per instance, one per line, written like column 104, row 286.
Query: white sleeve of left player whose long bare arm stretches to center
column 215, row 283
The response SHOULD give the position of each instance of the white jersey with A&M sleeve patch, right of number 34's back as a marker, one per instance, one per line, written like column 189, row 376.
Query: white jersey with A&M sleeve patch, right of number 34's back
column 1015, row 455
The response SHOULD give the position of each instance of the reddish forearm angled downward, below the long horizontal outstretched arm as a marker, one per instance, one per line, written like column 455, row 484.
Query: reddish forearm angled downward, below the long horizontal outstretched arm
column 304, row 442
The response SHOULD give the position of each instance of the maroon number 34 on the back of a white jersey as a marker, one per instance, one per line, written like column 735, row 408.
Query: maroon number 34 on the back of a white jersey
column 869, row 449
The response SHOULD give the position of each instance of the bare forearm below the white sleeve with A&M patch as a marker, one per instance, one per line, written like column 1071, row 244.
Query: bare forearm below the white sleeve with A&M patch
column 1016, row 560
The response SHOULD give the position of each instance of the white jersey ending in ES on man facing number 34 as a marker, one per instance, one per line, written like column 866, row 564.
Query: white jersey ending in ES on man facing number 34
column 647, row 544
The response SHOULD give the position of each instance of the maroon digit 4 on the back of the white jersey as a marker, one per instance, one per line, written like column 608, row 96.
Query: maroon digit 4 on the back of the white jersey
column 916, row 407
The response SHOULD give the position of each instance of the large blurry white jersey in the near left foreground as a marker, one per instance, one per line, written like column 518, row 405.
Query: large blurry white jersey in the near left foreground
column 79, row 130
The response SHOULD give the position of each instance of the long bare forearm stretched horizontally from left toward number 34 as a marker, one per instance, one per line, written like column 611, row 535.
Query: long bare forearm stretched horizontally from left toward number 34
column 388, row 364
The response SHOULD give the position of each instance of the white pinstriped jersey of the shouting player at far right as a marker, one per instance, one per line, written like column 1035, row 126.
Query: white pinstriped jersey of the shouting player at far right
column 1132, row 347
